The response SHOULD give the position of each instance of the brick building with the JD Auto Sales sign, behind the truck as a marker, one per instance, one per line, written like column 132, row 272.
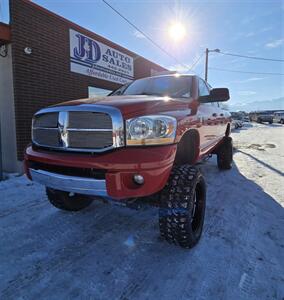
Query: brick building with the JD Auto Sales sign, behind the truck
column 46, row 59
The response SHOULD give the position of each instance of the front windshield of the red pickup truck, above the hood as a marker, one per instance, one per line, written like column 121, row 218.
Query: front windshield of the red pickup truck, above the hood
column 171, row 86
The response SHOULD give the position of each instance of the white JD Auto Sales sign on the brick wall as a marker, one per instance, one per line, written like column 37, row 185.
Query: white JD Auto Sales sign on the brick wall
column 92, row 58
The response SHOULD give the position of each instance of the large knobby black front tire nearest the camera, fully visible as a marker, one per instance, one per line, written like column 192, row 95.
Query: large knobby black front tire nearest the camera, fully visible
column 182, row 206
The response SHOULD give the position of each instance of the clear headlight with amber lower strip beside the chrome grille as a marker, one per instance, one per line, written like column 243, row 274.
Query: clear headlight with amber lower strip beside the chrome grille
column 150, row 130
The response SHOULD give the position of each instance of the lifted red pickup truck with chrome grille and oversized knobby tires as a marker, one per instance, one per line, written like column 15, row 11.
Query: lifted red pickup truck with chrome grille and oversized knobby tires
column 142, row 141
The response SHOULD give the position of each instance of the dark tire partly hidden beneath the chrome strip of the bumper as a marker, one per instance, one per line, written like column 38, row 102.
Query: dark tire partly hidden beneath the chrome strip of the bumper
column 67, row 201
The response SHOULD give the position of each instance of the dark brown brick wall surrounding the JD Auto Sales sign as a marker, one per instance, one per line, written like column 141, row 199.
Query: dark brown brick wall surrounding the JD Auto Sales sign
column 44, row 77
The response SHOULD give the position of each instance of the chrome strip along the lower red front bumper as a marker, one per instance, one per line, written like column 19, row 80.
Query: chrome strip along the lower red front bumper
column 80, row 185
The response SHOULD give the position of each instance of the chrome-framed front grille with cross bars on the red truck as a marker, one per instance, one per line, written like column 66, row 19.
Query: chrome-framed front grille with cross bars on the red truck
column 78, row 130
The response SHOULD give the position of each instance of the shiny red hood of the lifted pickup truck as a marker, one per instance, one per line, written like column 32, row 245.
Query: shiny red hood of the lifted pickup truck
column 132, row 106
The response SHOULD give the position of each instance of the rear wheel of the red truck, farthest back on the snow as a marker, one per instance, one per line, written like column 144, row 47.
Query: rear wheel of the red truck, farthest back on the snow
column 225, row 154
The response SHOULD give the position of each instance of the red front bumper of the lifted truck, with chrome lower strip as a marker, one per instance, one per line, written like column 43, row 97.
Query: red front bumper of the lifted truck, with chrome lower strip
column 153, row 163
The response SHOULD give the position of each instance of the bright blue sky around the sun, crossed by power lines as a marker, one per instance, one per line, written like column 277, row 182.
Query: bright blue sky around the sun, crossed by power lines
column 245, row 26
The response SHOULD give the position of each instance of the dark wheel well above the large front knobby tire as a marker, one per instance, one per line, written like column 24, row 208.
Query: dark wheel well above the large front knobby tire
column 188, row 148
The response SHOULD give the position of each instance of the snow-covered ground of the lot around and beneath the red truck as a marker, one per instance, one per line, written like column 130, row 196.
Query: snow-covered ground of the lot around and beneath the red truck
column 111, row 252
